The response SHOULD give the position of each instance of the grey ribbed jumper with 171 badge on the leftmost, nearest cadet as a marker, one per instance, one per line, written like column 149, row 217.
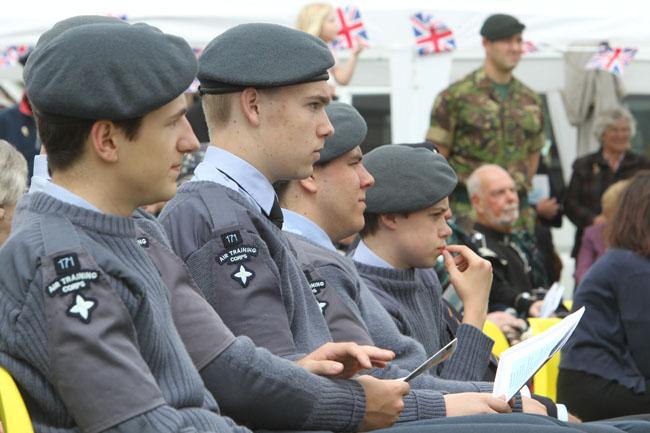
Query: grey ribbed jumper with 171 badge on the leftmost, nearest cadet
column 86, row 328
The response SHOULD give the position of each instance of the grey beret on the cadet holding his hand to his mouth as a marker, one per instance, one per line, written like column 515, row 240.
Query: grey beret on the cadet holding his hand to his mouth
column 407, row 179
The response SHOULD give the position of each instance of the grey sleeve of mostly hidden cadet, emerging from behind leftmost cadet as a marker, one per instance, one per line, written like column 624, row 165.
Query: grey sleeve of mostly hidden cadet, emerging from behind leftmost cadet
column 252, row 386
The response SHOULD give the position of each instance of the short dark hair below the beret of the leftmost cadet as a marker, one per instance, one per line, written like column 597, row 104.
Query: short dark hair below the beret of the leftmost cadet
column 64, row 137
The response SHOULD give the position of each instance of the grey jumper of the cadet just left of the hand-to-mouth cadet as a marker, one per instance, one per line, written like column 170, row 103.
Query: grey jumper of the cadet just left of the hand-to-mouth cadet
column 339, row 272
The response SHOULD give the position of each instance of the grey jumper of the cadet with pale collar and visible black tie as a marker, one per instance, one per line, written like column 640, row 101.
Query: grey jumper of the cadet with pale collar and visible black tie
column 285, row 318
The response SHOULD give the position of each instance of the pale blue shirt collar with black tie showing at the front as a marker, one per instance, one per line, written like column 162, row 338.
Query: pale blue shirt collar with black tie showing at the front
column 224, row 168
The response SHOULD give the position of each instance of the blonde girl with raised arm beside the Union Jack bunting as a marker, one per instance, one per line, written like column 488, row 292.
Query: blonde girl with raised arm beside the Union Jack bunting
column 319, row 19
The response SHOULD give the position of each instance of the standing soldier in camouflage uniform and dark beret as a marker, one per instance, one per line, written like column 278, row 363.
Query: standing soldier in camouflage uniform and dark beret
column 491, row 117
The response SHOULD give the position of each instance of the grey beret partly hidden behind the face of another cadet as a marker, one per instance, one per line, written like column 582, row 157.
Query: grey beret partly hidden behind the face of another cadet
column 350, row 130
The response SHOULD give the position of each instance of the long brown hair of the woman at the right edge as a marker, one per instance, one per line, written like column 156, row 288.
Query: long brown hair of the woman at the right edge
column 630, row 225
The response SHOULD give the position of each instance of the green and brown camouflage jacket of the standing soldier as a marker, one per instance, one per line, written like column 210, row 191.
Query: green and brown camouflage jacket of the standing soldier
column 471, row 120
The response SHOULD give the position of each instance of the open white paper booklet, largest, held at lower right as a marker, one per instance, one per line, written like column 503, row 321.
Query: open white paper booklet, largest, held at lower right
column 520, row 362
